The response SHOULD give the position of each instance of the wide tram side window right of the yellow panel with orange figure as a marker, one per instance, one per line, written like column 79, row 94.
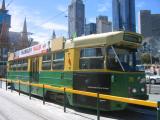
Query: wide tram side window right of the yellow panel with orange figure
column 91, row 58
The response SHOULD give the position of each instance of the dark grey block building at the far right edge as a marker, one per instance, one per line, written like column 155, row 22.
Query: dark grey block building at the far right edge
column 149, row 24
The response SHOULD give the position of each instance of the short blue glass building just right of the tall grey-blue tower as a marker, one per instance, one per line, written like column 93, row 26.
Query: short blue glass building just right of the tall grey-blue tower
column 90, row 28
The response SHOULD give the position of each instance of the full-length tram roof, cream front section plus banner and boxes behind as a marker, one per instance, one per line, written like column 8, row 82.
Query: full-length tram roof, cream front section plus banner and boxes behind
column 102, row 39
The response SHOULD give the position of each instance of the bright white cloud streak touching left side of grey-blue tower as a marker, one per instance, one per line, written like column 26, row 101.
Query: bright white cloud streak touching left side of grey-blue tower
column 55, row 26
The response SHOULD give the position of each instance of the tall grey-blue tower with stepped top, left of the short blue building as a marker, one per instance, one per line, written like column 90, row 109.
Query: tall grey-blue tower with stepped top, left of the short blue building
column 76, row 18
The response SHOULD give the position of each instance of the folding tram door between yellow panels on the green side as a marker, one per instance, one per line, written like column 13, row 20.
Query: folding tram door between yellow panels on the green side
column 35, row 70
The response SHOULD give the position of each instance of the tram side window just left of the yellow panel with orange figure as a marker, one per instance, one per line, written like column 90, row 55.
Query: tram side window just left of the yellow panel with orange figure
column 58, row 61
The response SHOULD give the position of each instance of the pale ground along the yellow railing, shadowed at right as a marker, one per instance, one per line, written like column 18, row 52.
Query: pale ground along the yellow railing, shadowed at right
column 15, row 107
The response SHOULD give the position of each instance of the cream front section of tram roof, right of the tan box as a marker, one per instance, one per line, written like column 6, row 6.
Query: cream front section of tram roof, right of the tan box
column 109, row 38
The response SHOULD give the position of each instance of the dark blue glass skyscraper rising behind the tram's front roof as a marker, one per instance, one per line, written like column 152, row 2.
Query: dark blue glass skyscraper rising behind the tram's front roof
column 124, row 15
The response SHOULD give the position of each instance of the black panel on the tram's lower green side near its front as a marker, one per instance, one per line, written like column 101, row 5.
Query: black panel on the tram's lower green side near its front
column 91, row 82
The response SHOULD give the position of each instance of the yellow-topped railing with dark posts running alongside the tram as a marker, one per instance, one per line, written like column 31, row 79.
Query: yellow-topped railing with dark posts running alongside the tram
column 84, row 93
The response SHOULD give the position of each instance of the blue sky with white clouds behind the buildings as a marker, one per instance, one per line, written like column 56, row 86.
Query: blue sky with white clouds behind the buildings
column 45, row 15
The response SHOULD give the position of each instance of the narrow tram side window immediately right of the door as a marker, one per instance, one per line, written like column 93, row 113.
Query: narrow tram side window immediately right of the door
column 46, row 63
